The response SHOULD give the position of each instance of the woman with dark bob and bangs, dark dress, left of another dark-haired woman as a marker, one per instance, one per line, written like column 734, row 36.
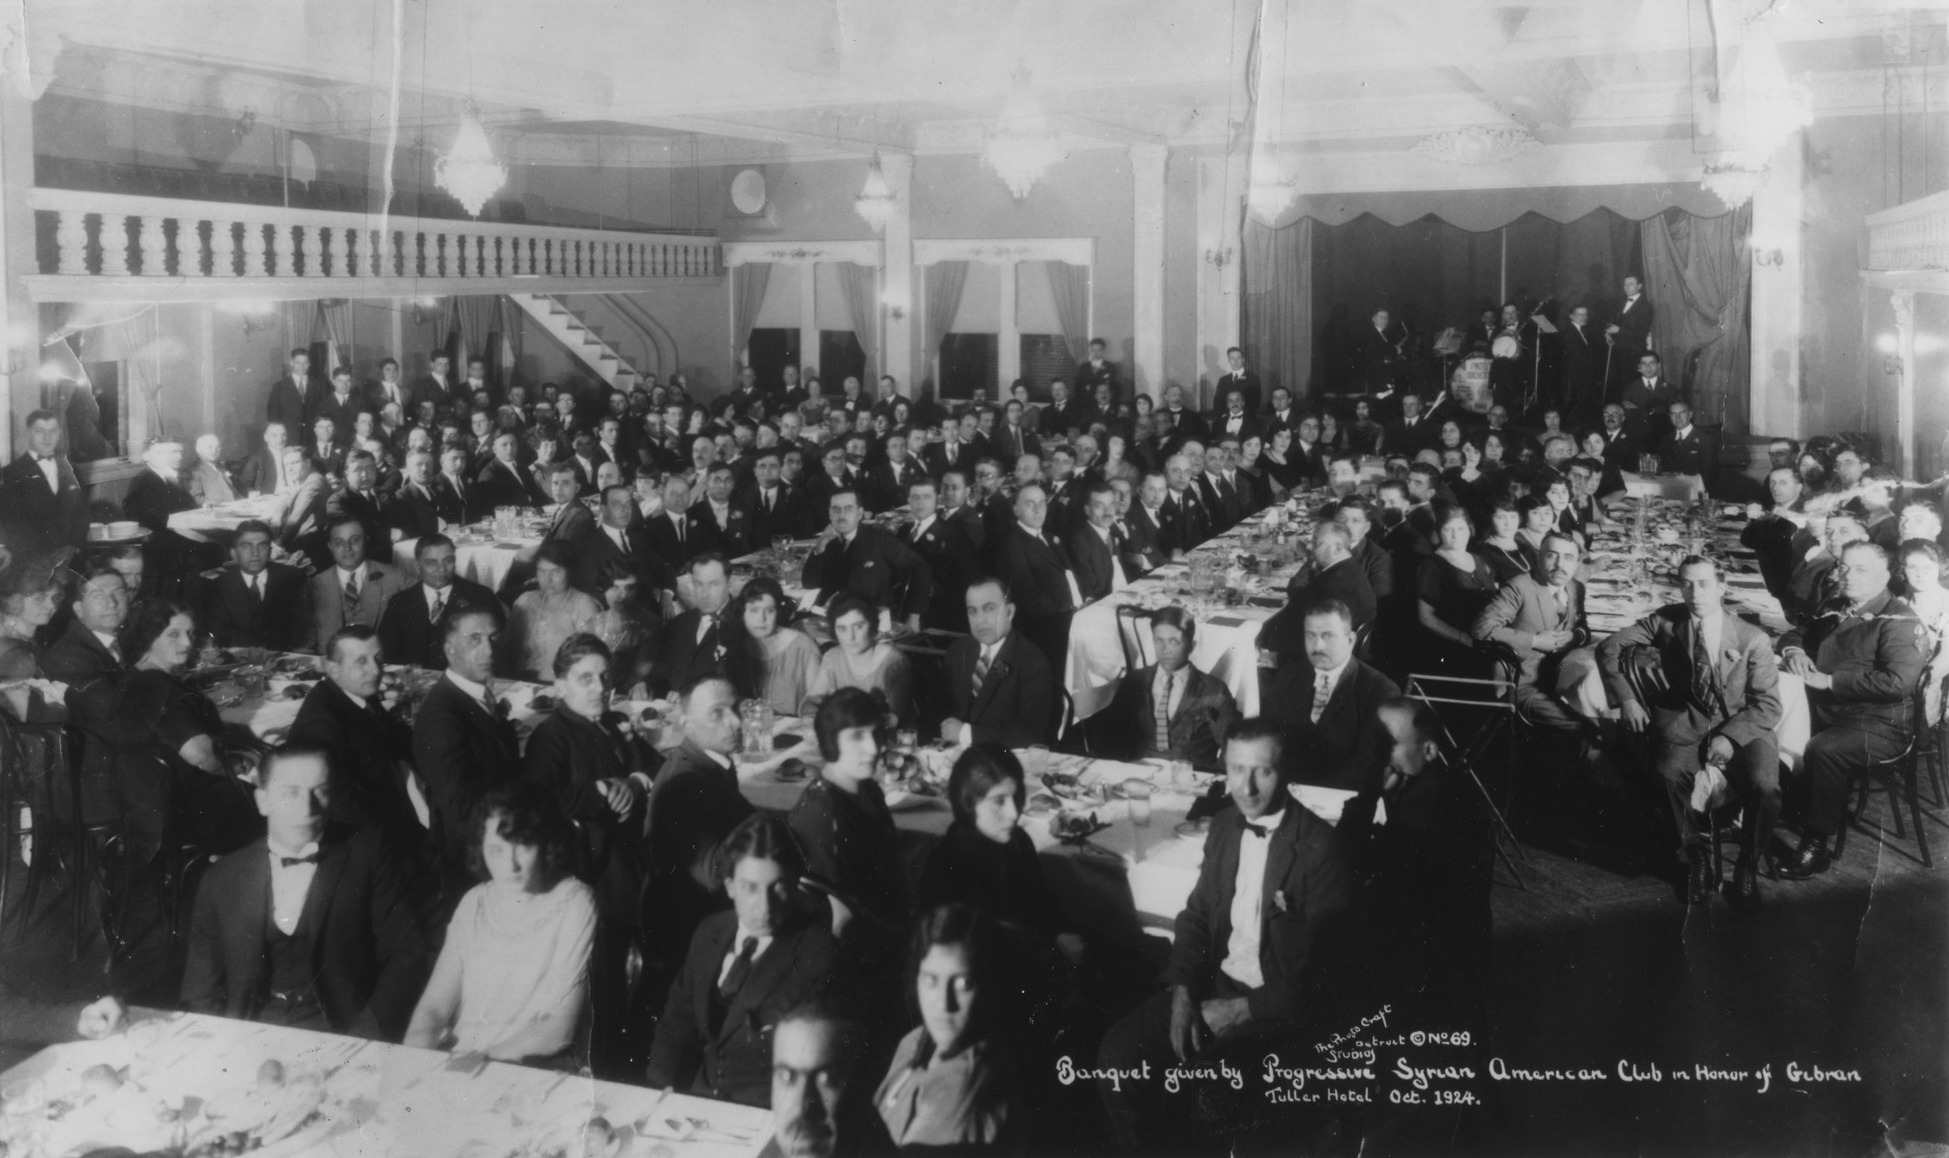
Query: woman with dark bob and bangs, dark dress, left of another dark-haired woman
column 843, row 822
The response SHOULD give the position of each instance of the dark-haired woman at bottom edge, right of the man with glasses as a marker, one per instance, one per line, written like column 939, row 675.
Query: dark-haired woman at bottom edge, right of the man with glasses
column 954, row 1083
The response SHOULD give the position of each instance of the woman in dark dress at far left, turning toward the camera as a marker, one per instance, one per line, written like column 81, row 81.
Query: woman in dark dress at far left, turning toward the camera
column 171, row 767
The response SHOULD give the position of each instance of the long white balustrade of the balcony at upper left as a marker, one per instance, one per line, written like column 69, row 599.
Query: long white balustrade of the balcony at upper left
column 95, row 239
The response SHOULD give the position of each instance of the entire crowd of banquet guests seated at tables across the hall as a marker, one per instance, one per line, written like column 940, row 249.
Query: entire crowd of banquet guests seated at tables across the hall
column 416, row 872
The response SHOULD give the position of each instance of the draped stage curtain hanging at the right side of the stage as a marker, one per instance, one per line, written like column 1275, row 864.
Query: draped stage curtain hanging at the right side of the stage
column 1699, row 278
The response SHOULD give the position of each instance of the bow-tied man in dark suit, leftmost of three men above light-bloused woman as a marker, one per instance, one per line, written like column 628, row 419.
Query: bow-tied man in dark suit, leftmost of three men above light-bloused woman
column 369, row 752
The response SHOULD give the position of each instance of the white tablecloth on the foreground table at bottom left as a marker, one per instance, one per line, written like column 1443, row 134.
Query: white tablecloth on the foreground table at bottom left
column 379, row 1099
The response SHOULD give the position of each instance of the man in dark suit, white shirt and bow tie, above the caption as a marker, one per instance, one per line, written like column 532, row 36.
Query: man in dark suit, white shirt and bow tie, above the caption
column 1239, row 993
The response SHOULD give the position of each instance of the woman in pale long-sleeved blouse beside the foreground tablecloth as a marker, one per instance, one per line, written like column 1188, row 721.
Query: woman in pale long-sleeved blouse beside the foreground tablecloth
column 514, row 976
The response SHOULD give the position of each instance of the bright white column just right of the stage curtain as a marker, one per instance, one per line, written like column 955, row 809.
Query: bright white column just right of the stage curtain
column 1778, row 297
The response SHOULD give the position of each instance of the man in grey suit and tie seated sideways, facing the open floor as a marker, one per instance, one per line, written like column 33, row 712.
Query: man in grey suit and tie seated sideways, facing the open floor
column 1704, row 685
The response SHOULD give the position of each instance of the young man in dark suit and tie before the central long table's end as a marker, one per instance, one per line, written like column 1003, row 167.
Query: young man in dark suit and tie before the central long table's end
column 1170, row 709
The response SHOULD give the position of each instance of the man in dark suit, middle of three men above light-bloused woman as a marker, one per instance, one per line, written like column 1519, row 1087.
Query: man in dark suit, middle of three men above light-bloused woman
column 463, row 744
